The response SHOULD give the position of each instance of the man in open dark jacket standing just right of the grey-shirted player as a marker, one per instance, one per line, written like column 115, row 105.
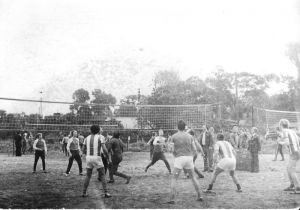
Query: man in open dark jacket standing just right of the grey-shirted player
column 206, row 141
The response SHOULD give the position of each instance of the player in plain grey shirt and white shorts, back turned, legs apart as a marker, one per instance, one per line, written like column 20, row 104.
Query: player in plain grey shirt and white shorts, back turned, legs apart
column 184, row 150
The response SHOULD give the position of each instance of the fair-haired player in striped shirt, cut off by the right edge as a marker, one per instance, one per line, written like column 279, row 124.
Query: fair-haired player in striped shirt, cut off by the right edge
column 290, row 138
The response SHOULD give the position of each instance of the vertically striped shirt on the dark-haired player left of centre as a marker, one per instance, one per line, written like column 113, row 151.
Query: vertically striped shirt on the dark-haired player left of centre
column 93, row 144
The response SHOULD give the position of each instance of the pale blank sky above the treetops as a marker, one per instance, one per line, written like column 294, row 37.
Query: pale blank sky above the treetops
column 42, row 41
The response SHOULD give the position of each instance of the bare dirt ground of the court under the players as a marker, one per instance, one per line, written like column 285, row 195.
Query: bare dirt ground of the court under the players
column 19, row 188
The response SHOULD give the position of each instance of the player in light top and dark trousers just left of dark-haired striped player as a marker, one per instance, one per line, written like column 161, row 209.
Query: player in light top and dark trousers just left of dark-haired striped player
column 73, row 148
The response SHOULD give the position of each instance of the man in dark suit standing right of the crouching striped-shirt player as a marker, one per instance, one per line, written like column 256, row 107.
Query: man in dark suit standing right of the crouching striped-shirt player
column 254, row 147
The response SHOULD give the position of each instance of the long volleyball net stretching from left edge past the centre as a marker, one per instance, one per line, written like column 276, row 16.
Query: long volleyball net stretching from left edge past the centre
column 43, row 116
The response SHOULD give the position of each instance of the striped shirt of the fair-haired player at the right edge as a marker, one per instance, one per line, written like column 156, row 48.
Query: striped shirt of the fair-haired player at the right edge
column 290, row 138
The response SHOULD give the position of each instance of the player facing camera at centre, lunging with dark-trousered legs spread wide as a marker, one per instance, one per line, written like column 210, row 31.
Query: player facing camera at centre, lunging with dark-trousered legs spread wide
column 158, row 152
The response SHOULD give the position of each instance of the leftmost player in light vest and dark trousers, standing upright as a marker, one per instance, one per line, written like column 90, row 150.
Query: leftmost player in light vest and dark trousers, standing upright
column 40, row 149
